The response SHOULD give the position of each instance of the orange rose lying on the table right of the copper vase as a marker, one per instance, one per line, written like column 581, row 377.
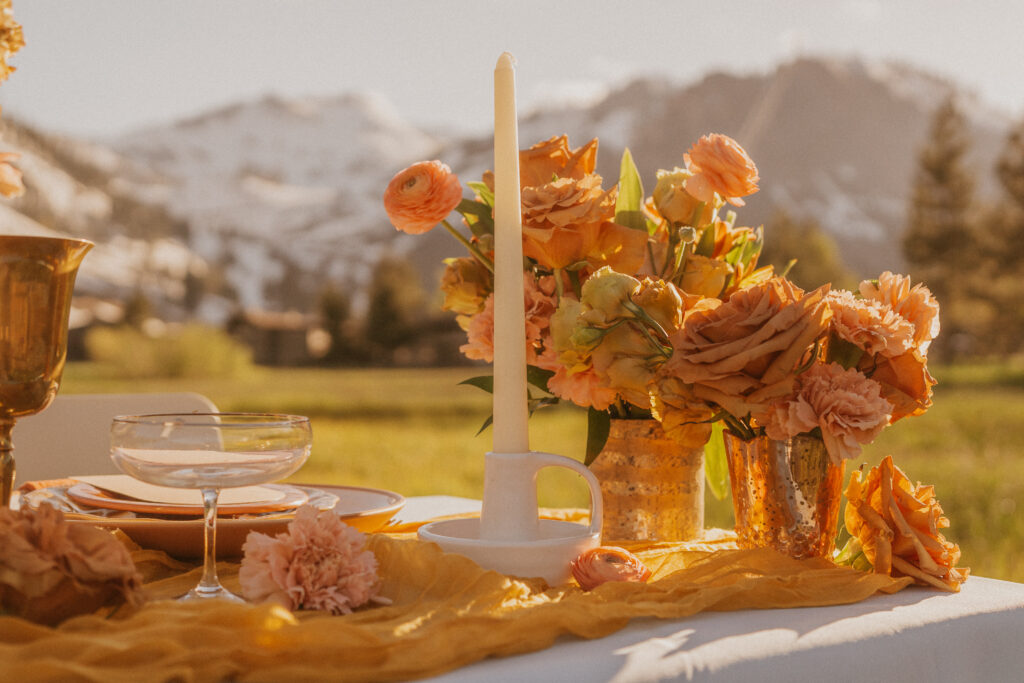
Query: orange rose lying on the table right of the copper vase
column 895, row 529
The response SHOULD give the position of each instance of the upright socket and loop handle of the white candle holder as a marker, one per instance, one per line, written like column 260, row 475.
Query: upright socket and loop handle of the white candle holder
column 510, row 509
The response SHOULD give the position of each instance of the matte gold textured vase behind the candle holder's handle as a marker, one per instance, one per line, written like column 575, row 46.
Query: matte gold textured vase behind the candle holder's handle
column 653, row 488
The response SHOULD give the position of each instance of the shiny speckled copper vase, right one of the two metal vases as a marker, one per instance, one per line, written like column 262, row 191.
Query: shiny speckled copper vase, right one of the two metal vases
column 786, row 495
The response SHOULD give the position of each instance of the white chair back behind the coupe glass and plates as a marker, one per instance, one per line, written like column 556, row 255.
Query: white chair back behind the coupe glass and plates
column 73, row 436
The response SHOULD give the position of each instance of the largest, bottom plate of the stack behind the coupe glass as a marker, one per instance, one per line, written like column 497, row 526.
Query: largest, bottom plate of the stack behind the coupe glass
column 366, row 509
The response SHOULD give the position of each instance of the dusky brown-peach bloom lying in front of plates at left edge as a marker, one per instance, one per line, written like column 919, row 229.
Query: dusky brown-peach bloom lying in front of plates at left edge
column 51, row 570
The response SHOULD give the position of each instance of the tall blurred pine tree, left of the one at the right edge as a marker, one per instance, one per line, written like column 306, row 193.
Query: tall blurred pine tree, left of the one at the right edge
column 941, row 244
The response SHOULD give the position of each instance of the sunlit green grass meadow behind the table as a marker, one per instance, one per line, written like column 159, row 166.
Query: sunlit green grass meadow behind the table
column 415, row 432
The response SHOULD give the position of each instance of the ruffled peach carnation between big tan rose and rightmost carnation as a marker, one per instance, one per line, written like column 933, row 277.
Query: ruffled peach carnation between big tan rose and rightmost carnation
column 870, row 325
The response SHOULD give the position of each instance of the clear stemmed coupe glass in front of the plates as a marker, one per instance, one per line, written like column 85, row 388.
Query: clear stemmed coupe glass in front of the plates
column 210, row 452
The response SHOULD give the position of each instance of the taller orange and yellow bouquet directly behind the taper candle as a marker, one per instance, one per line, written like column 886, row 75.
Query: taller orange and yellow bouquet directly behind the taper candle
column 610, row 274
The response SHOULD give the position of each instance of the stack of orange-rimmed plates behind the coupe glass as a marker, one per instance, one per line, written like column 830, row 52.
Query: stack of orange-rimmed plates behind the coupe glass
column 172, row 520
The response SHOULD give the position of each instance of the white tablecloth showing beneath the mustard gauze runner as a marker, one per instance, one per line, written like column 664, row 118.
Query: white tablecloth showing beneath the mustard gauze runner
column 917, row 635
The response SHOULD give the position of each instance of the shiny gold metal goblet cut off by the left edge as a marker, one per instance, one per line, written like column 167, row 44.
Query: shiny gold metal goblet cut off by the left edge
column 37, row 276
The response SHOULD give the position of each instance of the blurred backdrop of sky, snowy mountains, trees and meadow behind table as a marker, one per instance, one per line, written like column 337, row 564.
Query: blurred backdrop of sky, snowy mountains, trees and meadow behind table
column 229, row 160
